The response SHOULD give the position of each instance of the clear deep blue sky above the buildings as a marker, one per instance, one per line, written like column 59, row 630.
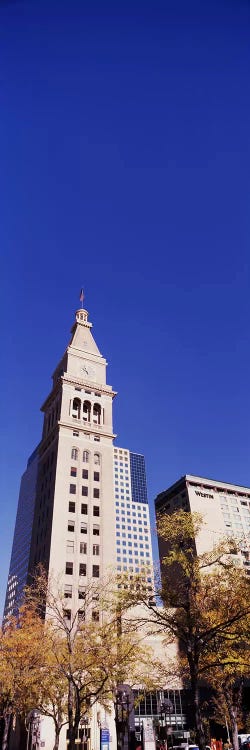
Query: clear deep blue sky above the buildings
column 124, row 140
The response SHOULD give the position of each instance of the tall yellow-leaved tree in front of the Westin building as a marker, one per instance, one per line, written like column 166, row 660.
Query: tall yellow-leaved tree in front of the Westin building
column 205, row 601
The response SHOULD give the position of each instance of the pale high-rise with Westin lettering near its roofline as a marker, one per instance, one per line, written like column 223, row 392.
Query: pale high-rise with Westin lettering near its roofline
column 225, row 509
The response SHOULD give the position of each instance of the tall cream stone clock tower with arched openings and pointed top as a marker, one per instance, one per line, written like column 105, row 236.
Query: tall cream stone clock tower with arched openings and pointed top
column 74, row 519
